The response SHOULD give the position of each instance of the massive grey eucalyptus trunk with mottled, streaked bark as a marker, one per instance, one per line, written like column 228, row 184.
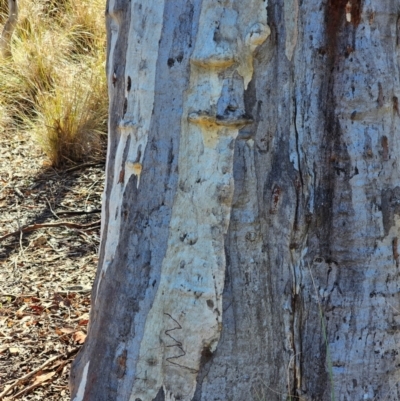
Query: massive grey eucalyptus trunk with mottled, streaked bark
column 251, row 221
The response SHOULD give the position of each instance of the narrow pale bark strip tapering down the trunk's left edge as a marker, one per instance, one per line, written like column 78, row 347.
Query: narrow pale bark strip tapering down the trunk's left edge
column 140, row 73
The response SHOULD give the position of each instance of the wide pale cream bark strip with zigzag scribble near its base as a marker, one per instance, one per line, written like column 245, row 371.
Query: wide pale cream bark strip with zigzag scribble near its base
column 186, row 316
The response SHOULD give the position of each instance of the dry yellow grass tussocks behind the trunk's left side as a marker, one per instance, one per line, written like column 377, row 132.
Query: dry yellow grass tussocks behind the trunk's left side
column 54, row 84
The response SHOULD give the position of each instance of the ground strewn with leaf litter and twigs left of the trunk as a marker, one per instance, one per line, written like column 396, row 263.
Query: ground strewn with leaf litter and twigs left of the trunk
column 49, row 239
